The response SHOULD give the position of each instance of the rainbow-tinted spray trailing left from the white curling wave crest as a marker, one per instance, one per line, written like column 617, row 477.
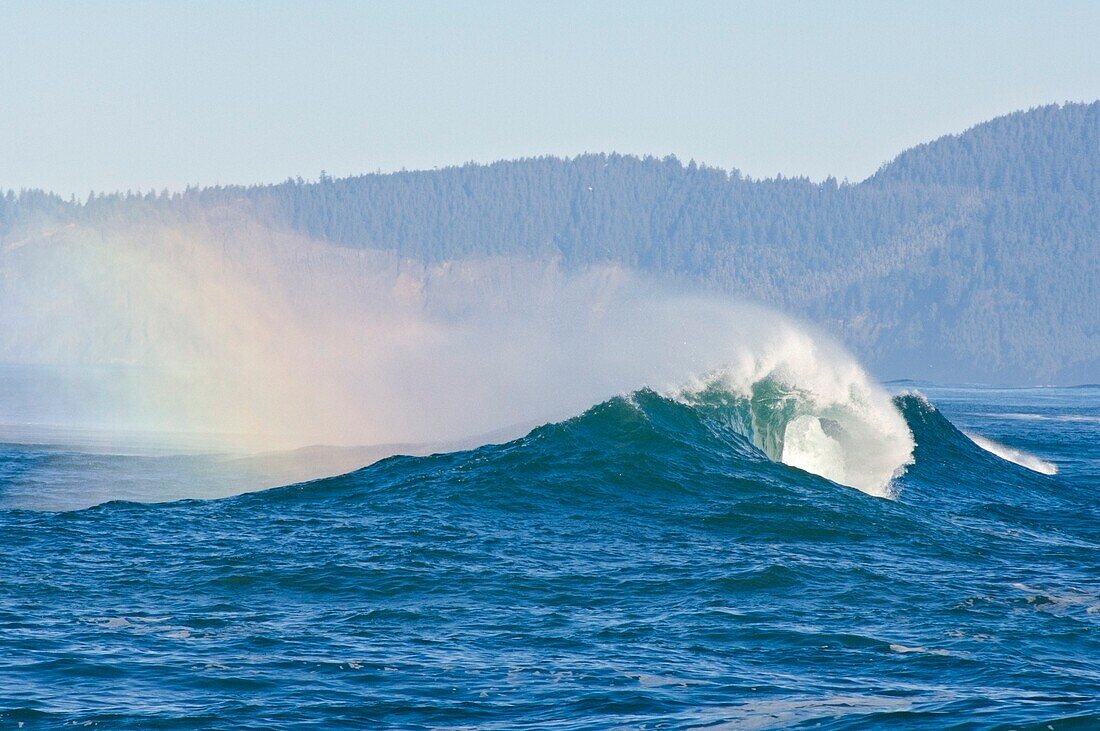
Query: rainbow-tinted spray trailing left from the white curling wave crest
column 276, row 341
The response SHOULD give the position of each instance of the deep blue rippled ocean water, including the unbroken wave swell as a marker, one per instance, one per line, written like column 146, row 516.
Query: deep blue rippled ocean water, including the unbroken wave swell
column 643, row 566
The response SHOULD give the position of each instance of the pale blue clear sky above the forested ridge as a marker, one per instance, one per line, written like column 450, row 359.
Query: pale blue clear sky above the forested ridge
column 114, row 96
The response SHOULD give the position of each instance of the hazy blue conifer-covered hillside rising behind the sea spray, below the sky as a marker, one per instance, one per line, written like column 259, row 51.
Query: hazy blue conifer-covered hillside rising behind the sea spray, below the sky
column 973, row 258
